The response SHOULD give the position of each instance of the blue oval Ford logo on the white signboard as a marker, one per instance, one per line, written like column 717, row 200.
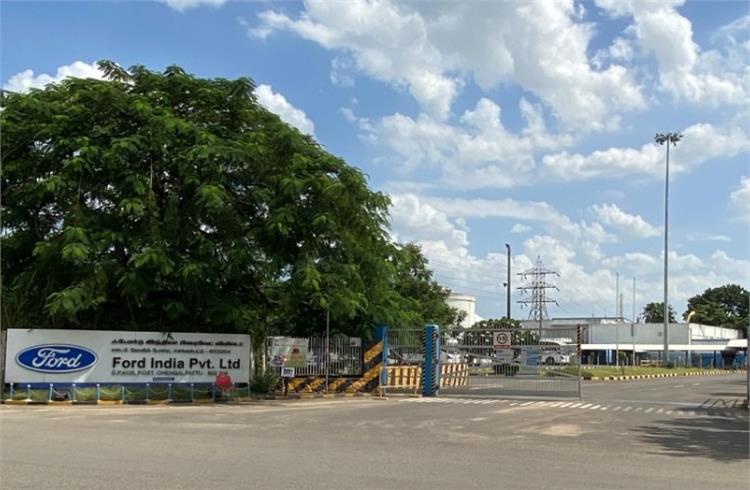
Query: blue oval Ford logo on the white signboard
column 56, row 358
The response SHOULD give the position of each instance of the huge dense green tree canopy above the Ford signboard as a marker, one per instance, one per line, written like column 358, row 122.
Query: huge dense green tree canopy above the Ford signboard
column 164, row 201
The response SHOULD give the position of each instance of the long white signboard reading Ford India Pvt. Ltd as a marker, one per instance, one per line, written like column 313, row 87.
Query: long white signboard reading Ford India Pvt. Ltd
column 105, row 356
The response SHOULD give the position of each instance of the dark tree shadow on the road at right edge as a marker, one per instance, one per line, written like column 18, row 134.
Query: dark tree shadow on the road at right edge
column 723, row 439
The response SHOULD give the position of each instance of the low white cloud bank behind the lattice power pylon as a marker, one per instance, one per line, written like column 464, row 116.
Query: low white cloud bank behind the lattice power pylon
column 587, row 280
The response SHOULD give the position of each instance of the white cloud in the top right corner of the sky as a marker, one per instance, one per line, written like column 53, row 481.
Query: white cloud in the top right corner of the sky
column 712, row 77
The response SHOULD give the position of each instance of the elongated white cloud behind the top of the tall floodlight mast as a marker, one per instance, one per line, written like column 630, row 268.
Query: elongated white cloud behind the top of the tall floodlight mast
column 701, row 143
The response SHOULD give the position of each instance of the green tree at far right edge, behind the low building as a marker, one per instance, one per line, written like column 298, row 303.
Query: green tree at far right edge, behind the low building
column 725, row 306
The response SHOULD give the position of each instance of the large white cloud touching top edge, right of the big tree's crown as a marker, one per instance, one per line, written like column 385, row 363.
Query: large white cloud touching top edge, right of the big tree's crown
column 424, row 47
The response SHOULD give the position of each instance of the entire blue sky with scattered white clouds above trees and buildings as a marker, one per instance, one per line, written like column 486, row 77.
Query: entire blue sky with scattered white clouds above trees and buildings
column 487, row 123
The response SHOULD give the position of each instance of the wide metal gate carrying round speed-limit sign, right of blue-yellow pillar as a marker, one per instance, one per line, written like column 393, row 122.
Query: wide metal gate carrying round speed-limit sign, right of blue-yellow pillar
column 542, row 362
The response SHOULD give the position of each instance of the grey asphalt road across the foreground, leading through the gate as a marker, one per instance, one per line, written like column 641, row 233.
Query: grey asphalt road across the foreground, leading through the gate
column 414, row 443
